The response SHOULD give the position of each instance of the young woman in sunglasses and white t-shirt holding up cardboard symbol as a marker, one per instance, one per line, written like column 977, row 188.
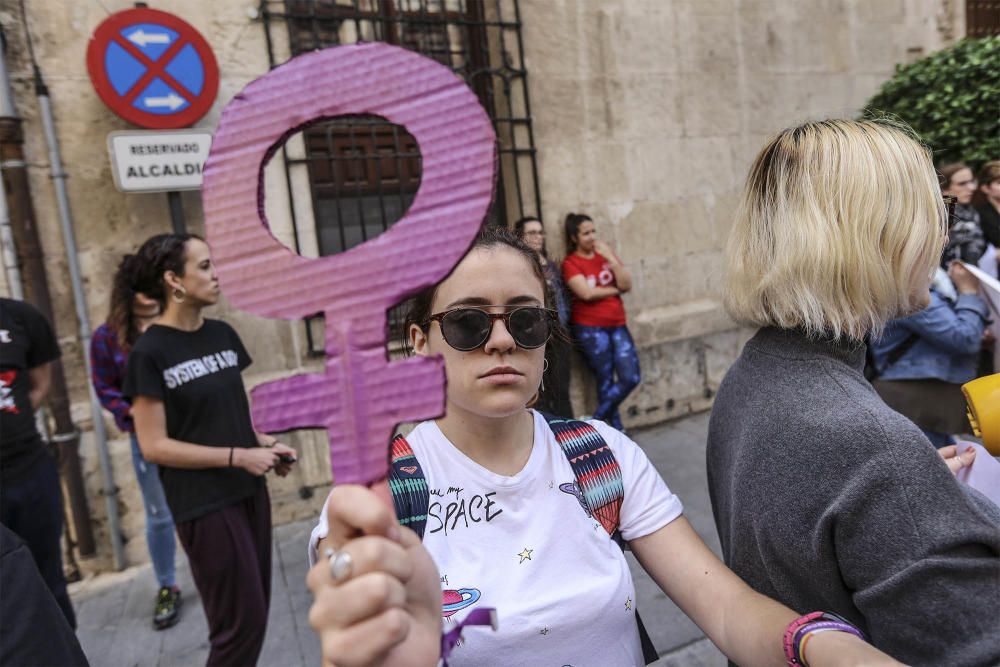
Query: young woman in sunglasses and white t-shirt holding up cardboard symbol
column 506, row 529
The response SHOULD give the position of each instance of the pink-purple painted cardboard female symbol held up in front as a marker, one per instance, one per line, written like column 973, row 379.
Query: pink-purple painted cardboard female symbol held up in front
column 361, row 396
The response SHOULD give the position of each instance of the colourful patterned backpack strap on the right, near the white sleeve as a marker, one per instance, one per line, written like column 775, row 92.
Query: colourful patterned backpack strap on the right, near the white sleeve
column 598, row 476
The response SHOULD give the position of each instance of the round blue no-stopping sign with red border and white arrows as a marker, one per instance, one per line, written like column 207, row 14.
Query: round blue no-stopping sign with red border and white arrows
column 152, row 69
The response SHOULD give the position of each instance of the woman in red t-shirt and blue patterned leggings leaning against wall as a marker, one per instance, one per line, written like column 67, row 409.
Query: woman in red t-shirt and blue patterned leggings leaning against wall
column 596, row 277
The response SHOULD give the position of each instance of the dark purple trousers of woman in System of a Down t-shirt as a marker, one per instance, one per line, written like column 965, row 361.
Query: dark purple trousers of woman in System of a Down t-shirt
column 230, row 555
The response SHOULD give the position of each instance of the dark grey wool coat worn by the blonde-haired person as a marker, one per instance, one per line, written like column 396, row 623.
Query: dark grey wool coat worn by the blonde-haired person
column 826, row 499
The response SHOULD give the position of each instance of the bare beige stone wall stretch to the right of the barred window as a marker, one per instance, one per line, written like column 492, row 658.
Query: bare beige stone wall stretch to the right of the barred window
column 647, row 115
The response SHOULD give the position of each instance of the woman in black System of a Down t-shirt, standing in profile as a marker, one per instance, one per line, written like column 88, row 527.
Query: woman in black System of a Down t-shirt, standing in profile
column 192, row 418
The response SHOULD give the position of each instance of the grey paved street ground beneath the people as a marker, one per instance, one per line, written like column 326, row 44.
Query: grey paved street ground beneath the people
column 114, row 610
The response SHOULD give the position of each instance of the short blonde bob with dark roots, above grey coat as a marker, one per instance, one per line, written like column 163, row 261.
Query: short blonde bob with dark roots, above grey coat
column 840, row 227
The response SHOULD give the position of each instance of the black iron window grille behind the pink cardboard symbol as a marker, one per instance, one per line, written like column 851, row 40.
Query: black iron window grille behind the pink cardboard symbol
column 364, row 171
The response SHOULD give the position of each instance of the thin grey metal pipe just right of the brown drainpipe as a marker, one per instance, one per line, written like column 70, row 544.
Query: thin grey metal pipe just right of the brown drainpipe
column 69, row 239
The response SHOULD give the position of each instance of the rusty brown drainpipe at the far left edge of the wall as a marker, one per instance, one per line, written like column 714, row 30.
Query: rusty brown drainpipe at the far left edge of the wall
column 25, row 232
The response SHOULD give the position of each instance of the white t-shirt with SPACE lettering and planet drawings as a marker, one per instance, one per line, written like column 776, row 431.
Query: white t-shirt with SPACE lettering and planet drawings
column 526, row 546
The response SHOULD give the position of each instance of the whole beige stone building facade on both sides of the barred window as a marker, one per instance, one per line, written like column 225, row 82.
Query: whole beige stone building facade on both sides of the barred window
column 644, row 114
